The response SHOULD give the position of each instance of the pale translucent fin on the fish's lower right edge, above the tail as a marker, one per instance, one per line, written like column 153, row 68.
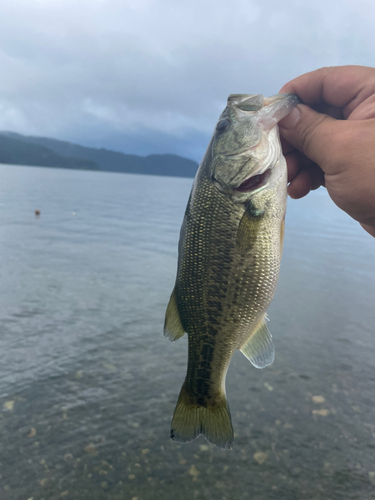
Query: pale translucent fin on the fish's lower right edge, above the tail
column 259, row 348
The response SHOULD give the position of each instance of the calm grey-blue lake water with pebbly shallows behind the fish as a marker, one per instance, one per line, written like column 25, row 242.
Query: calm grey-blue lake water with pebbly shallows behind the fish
column 88, row 383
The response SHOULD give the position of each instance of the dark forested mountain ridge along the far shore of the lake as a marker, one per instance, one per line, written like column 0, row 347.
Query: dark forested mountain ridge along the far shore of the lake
column 42, row 151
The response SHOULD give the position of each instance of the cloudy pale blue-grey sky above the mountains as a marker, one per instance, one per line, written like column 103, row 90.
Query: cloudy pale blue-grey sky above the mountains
column 152, row 76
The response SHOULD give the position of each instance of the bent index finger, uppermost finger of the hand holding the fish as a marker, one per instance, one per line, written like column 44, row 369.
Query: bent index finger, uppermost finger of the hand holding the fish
column 340, row 86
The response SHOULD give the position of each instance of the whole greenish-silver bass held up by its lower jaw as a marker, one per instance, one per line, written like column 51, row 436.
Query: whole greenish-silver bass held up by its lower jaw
column 229, row 257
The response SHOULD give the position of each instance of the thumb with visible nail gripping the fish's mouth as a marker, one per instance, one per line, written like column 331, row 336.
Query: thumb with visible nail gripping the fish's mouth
column 309, row 131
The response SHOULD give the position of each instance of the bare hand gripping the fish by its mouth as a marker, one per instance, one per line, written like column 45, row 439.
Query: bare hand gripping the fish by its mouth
column 330, row 139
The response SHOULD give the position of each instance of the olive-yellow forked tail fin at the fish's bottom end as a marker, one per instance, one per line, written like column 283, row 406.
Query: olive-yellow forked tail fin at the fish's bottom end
column 191, row 420
